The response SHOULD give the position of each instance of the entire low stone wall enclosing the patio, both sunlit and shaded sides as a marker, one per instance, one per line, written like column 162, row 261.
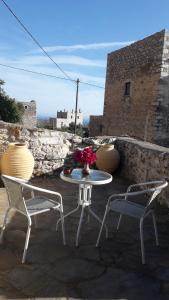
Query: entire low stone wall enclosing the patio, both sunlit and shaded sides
column 140, row 161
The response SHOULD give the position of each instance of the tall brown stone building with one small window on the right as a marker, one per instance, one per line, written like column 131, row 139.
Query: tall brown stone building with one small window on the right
column 137, row 91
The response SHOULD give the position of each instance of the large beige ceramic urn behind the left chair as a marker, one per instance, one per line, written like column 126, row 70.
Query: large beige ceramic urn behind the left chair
column 17, row 161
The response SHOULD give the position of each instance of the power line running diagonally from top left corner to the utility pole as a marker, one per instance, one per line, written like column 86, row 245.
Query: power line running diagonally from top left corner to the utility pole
column 35, row 40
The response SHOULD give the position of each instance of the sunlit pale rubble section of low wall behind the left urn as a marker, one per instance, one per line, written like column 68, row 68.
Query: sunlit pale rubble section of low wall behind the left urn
column 48, row 147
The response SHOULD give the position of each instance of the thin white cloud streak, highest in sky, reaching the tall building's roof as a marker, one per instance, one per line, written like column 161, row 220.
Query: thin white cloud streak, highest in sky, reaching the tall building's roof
column 94, row 46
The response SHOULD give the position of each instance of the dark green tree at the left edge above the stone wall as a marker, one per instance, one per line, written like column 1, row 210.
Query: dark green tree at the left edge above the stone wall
column 10, row 110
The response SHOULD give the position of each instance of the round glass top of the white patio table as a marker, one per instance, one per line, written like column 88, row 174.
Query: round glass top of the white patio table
column 96, row 177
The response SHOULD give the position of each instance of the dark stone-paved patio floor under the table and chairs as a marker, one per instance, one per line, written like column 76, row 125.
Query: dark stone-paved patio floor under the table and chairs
column 112, row 271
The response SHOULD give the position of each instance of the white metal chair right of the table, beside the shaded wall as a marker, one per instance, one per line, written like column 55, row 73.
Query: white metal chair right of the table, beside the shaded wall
column 120, row 203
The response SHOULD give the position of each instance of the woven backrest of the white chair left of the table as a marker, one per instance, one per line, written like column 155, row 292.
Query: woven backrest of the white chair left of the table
column 14, row 191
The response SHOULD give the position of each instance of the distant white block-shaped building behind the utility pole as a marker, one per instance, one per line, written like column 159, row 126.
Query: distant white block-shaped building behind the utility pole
column 64, row 118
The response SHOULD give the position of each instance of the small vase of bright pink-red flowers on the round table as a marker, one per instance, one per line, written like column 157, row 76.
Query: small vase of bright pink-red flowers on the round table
column 86, row 157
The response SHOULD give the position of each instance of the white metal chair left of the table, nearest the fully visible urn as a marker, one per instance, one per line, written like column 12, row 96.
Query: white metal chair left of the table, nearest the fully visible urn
column 36, row 204
